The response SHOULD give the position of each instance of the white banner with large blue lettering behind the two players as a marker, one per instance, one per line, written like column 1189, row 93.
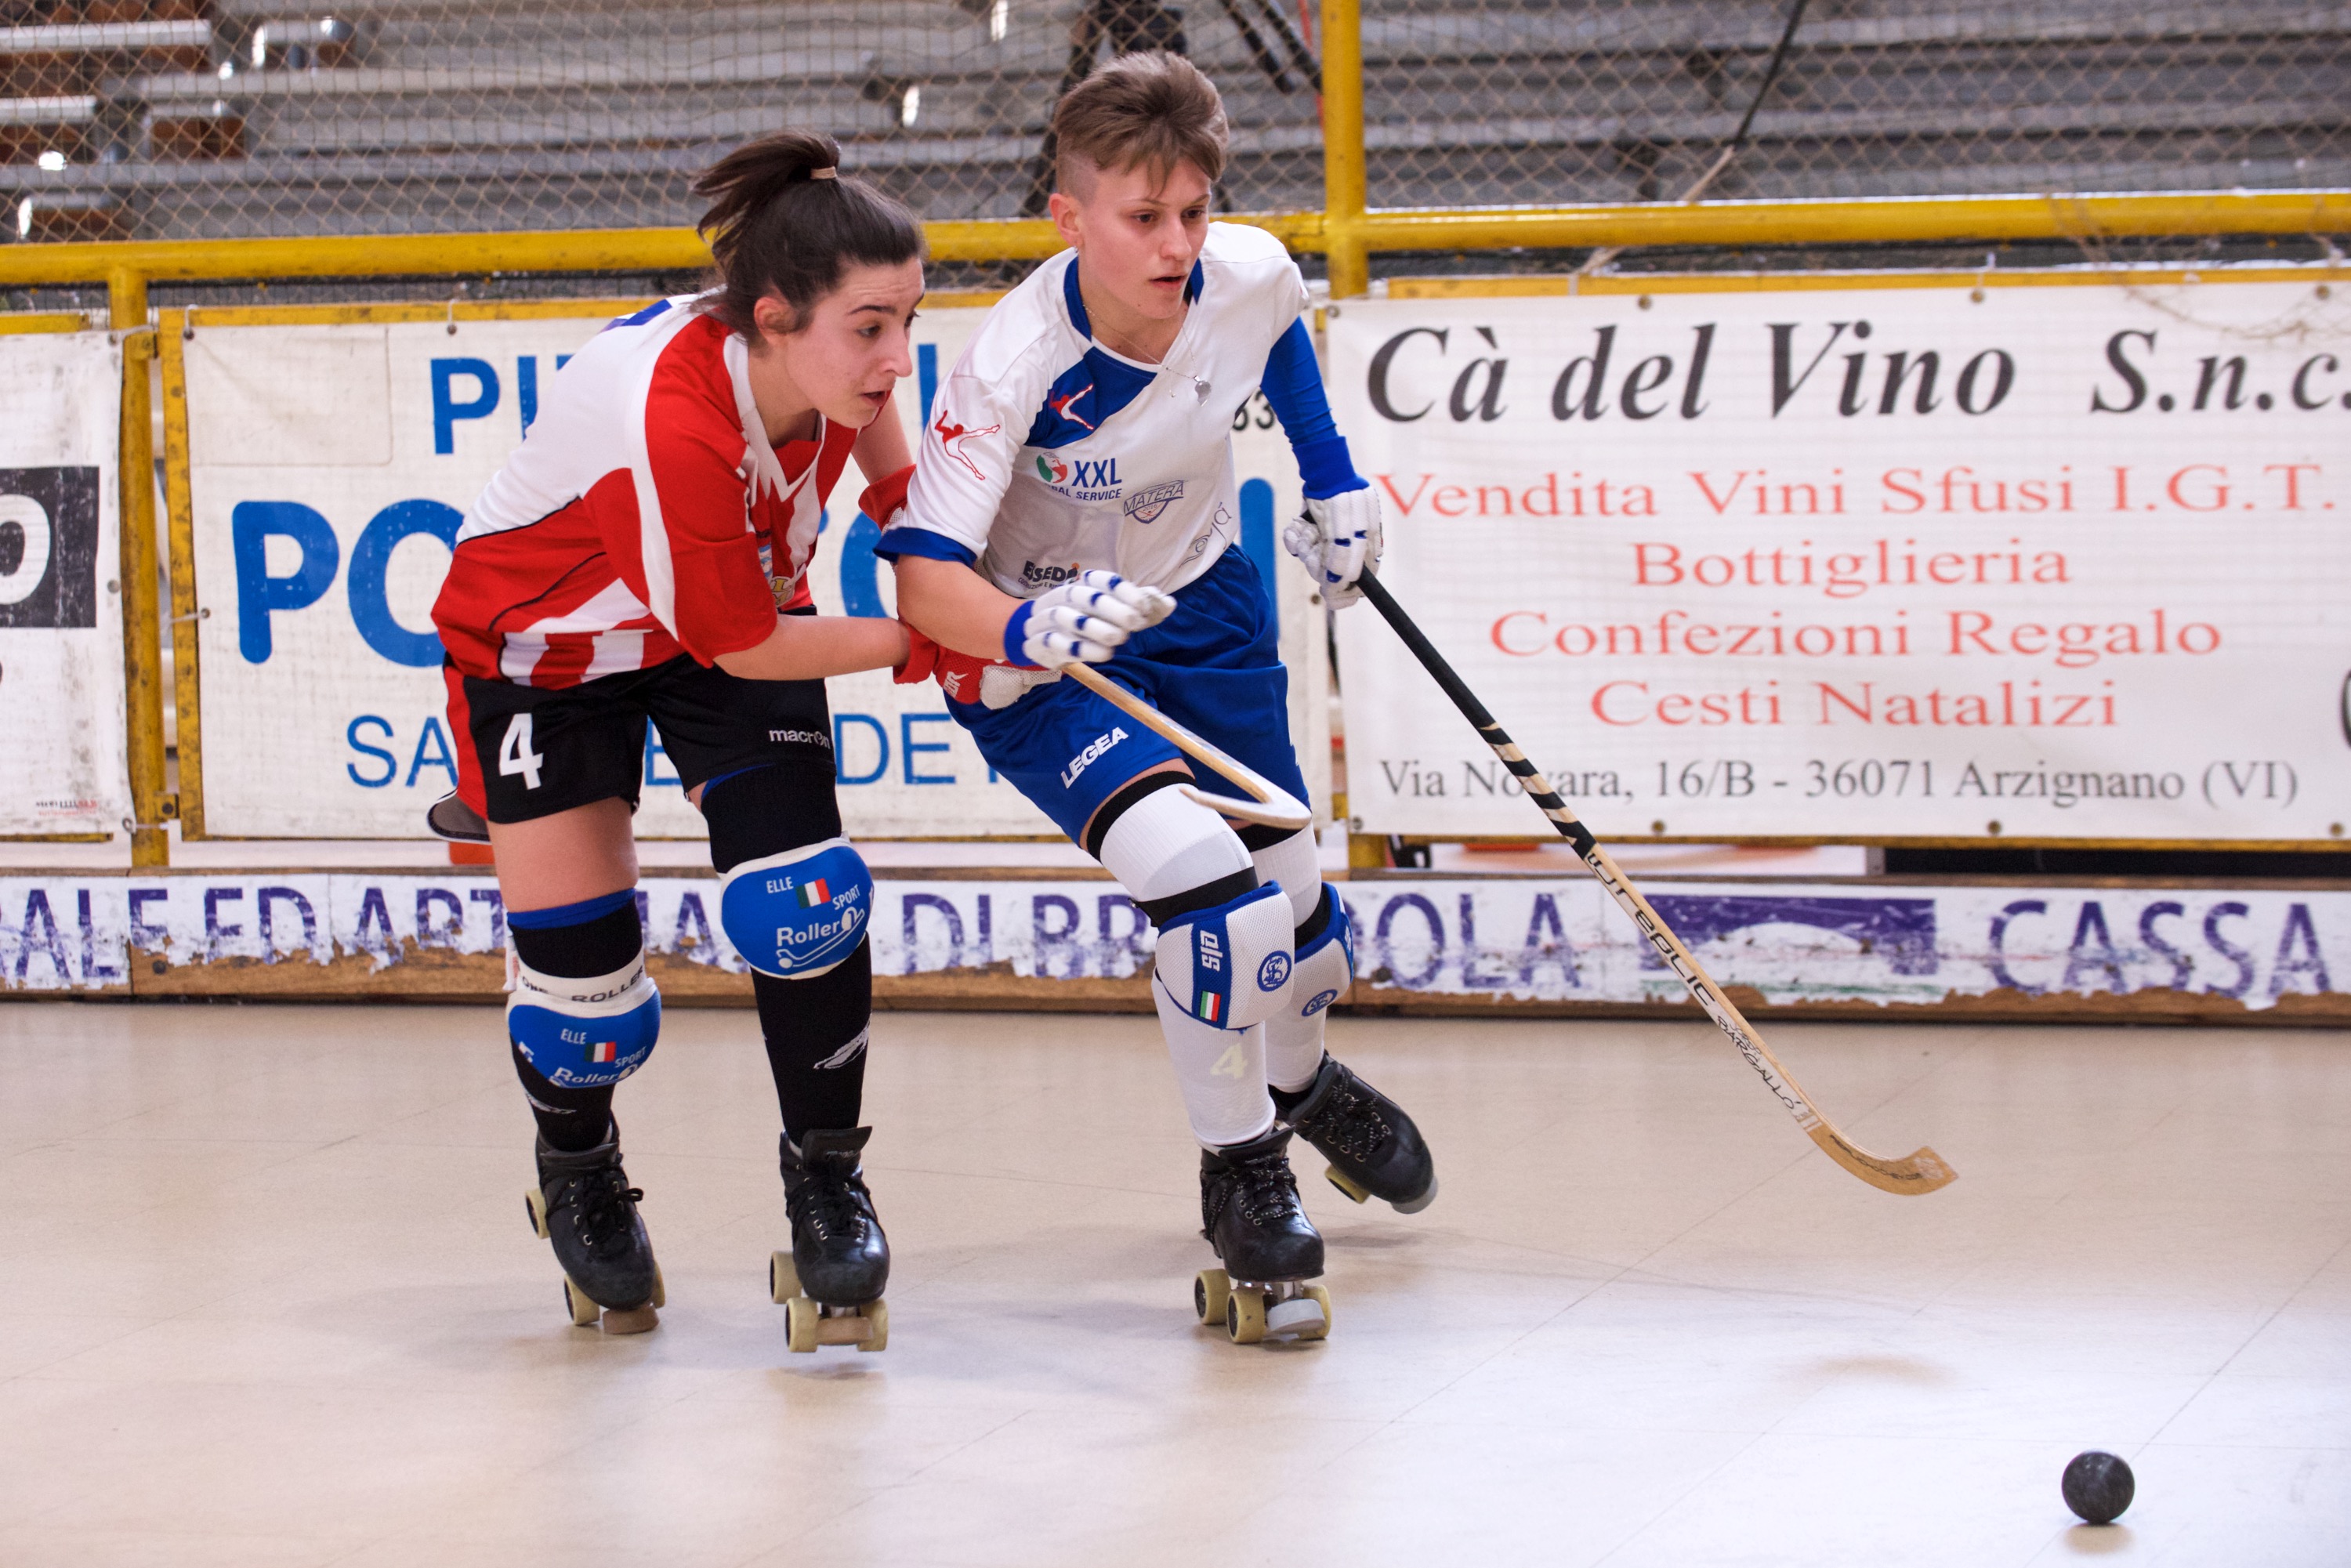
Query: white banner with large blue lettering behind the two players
column 330, row 467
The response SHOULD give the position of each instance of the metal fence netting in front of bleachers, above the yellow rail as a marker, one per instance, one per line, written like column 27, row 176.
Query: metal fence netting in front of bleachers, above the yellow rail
column 225, row 119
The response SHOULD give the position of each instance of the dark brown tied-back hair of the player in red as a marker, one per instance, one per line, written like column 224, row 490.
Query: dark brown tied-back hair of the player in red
column 786, row 222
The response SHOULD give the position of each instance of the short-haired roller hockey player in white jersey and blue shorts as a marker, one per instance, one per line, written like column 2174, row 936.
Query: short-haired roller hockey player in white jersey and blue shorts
column 1073, row 500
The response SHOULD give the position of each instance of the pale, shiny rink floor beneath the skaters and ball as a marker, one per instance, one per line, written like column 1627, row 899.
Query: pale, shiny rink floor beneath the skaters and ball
column 272, row 1299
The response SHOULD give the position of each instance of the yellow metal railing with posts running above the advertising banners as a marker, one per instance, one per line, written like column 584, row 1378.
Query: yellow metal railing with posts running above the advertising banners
column 1346, row 232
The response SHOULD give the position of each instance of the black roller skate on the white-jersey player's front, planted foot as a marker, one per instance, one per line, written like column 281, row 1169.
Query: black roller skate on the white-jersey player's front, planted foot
column 1250, row 1214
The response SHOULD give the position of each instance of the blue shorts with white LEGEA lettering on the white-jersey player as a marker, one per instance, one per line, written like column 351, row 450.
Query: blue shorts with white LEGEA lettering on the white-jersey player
column 1214, row 666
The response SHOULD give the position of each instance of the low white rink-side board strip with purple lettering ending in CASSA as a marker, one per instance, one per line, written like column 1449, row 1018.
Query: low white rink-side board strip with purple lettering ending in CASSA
column 1527, row 939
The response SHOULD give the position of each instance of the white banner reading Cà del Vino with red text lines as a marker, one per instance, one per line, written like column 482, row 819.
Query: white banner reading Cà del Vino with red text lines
column 2047, row 563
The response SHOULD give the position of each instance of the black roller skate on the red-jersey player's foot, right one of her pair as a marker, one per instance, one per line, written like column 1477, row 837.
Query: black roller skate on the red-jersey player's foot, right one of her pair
column 831, row 1282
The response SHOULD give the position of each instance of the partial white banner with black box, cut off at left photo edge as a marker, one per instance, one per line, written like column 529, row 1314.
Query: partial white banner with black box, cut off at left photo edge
column 62, row 768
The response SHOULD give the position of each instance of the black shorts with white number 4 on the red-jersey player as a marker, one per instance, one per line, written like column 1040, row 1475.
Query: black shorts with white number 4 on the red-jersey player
column 540, row 751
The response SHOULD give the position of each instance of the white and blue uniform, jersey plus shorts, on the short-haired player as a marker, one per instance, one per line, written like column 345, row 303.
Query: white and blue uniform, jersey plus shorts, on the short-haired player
column 1050, row 455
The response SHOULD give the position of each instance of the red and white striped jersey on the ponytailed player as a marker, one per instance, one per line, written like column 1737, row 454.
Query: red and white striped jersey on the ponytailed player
column 643, row 516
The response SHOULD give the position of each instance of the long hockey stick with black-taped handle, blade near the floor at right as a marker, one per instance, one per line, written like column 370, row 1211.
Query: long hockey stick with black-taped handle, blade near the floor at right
column 1920, row 1172
